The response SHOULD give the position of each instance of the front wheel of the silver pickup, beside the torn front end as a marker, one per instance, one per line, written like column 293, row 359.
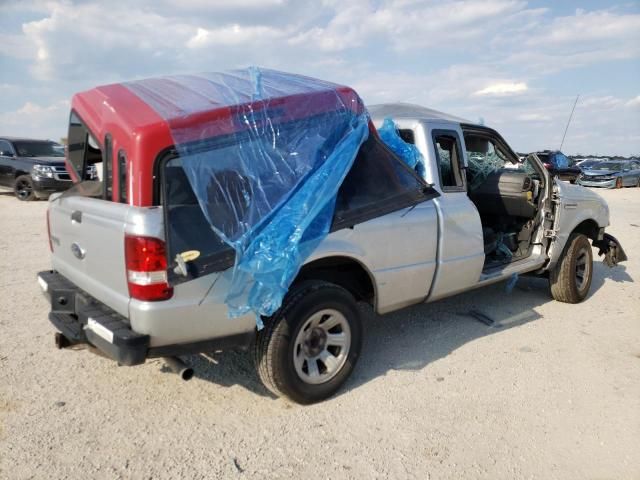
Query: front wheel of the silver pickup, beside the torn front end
column 570, row 280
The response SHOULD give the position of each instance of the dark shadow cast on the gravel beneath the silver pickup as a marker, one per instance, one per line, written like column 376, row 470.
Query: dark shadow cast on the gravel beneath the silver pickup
column 412, row 338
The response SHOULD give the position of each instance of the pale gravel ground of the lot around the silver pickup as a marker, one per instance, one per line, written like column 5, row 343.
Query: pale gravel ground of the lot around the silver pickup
column 551, row 391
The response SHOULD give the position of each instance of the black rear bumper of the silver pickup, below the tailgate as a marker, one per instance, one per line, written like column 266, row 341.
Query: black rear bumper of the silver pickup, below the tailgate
column 83, row 320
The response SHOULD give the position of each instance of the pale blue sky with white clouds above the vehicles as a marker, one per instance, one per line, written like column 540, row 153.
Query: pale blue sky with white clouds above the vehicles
column 516, row 66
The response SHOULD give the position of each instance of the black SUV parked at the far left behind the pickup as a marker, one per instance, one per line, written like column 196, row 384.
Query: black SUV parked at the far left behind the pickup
column 32, row 168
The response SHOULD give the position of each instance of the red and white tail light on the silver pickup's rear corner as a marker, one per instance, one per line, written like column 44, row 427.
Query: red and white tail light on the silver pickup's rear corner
column 146, row 262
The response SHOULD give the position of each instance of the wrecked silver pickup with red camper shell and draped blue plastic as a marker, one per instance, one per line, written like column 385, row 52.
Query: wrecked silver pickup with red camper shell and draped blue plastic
column 255, row 209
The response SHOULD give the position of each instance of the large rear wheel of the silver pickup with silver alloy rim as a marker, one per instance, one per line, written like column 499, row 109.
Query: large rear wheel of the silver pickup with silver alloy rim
column 297, row 336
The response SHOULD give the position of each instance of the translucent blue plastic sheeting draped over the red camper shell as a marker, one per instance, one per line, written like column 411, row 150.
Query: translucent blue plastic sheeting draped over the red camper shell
column 265, row 153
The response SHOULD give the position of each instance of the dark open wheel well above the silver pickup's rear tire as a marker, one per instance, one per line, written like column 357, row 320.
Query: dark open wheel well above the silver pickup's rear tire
column 343, row 271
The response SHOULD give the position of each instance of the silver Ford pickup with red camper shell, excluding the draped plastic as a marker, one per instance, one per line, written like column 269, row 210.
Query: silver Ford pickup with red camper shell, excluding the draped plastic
column 472, row 215
